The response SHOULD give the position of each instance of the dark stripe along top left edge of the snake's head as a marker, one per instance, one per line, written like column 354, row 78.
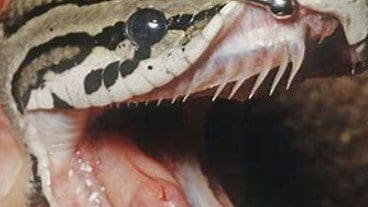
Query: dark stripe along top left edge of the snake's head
column 13, row 23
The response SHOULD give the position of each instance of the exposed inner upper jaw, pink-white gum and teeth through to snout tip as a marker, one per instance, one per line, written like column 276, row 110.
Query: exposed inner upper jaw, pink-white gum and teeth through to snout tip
column 316, row 43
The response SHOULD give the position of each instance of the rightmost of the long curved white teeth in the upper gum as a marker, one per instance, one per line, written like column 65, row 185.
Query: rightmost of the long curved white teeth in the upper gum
column 297, row 56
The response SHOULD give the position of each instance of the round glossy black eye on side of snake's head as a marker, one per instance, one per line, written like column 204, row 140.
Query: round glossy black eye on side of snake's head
column 146, row 27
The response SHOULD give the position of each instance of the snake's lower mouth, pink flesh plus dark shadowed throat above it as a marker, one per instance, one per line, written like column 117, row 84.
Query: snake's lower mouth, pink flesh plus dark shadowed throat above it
column 140, row 156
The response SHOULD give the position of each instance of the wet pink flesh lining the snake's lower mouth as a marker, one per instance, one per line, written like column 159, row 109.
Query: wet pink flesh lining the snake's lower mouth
column 121, row 164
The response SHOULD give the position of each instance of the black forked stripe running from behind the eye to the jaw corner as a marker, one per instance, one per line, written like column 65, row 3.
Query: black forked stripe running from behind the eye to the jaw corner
column 110, row 37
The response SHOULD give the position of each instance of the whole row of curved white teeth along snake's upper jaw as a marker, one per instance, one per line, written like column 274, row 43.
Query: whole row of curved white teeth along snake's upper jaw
column 289, row 53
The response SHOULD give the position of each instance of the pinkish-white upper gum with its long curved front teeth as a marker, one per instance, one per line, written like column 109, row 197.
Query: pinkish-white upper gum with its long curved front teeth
column 256, row 53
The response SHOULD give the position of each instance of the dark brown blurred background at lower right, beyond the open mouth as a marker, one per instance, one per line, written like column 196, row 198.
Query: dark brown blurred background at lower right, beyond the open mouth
column 303, row 147
